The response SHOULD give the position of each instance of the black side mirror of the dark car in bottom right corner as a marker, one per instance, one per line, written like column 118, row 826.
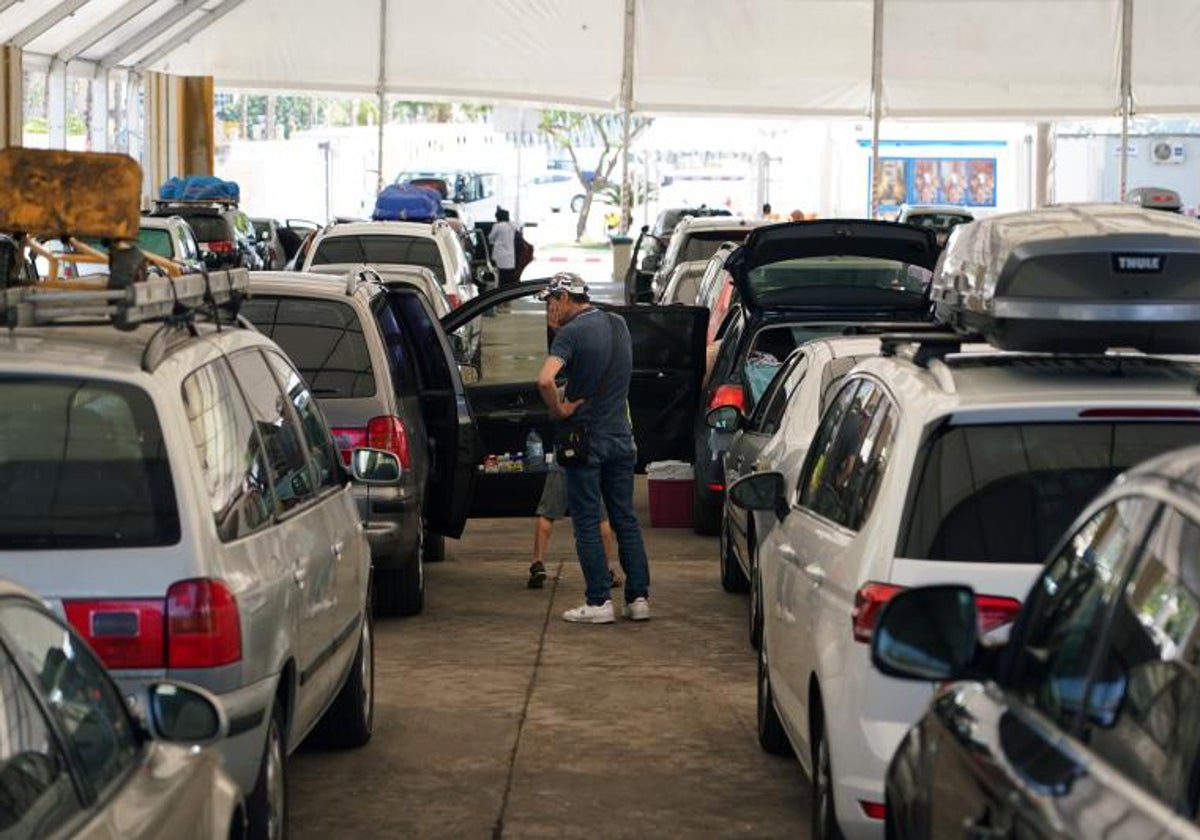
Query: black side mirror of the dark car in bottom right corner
column 928, row 634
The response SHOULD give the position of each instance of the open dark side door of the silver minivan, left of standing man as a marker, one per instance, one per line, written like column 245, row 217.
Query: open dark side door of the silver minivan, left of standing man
column 454, row 443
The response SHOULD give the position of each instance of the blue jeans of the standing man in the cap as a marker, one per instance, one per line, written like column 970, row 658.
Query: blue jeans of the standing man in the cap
column 607, row 483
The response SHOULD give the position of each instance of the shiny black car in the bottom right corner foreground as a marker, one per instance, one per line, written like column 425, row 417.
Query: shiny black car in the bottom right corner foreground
column 1084, row 724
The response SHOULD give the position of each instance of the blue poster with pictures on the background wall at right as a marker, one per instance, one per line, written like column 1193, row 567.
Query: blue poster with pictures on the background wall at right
column 964, row 182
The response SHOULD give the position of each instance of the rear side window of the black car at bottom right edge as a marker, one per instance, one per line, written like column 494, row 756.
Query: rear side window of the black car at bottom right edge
column 1147, row 688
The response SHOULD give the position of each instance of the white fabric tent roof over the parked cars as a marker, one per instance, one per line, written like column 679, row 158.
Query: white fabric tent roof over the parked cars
column 789, row 58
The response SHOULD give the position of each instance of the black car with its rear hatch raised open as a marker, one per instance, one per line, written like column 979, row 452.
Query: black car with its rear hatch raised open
column 800, row 281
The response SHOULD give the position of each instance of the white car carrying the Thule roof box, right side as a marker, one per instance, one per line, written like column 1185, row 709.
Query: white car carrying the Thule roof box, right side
column 939, row 464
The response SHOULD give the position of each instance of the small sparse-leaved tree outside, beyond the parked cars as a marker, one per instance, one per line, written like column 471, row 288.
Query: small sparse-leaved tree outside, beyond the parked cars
column 574, row 130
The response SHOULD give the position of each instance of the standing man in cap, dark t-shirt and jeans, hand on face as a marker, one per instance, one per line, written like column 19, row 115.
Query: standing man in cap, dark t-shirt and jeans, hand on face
column 593, row 350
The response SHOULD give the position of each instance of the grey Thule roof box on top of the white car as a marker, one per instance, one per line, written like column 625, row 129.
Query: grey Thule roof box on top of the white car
column 1075, row 279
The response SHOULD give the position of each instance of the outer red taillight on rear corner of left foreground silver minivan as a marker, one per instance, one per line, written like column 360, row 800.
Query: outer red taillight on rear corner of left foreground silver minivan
column 203, row 627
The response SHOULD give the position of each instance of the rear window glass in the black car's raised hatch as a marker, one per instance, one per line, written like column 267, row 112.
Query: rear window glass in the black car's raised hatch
column 839, row 281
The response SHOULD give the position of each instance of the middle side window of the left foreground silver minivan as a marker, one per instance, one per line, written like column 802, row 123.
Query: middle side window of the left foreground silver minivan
column 283, row 441
